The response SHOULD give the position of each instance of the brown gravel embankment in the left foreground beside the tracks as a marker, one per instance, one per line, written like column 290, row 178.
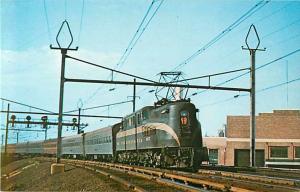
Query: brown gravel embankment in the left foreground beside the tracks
column 38, row 178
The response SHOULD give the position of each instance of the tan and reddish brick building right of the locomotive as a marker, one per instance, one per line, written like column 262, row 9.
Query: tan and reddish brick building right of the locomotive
column 277, row 140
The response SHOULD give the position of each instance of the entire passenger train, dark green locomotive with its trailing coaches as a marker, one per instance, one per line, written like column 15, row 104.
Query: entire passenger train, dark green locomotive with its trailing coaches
column 167, row 134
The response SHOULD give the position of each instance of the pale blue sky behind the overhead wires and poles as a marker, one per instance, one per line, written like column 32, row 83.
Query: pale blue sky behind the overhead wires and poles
column 30, row 70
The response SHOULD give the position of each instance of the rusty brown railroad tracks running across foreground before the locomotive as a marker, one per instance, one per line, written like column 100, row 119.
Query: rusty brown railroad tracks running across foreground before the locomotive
column 203, row 180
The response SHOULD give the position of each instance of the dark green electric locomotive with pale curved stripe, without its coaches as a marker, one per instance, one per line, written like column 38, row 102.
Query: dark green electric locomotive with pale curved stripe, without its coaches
column 167, row 134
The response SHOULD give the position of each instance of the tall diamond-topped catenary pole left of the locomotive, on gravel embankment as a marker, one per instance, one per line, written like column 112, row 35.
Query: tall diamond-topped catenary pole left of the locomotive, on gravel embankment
column 61, row 91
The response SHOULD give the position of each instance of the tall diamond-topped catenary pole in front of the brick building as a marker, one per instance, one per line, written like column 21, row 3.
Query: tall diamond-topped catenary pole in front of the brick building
column 252, row 93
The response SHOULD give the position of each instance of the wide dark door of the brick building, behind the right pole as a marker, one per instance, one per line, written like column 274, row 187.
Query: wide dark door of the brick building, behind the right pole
column 242, row 157
